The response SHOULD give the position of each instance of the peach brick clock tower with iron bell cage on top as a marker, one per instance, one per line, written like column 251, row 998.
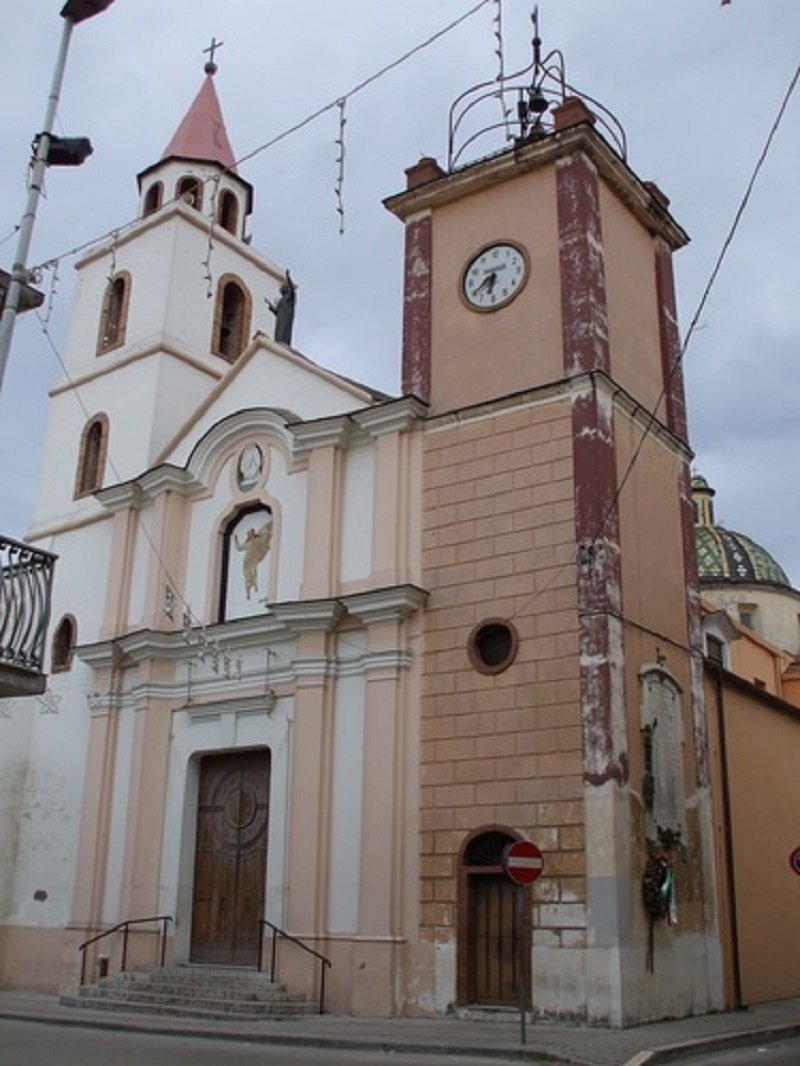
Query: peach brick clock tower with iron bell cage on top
column 540, row 328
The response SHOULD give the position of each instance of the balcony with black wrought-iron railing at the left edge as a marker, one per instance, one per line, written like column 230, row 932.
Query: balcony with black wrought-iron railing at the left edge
column 26, row 579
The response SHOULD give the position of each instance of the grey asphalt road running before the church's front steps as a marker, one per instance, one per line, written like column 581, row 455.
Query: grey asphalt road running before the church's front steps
column 34, row 1044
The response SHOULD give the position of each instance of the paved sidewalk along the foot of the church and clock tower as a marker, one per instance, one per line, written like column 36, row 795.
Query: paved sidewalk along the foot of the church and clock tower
column 584, row 1046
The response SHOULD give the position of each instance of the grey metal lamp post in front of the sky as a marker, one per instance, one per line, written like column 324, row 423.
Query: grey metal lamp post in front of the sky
column 20, row 270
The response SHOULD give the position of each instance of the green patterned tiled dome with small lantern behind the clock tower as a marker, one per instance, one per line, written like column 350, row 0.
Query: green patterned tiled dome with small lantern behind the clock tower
column 725, row 556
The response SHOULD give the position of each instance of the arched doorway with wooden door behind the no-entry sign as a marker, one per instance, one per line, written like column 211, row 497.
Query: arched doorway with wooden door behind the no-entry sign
column 489, row 950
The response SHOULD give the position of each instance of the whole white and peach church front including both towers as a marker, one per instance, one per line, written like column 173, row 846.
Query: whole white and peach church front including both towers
column 321, row 655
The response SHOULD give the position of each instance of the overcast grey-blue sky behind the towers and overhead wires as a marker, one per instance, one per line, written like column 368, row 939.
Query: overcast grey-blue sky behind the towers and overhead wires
column 697, row 86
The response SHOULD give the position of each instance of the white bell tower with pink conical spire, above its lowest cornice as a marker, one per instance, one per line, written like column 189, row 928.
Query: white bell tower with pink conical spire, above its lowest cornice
column 165, row 308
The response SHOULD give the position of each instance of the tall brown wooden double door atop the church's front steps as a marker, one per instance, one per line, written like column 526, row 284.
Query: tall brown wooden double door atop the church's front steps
column 231, row 858
